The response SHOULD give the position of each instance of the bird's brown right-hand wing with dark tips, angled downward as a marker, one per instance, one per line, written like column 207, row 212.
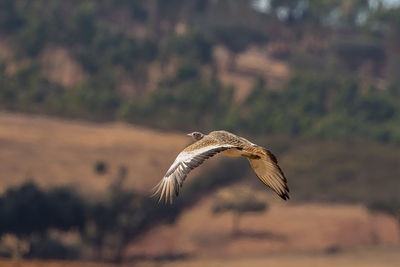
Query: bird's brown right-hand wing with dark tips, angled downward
column 268, row 171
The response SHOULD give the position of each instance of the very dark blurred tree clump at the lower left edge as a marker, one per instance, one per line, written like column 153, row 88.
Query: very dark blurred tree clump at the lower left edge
column 29, row 213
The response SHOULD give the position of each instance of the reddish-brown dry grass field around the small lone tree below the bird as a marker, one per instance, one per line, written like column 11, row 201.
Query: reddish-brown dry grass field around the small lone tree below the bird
column 285, row 227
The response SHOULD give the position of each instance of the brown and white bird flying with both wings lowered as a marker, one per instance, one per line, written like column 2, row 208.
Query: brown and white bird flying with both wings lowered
column 263, row 162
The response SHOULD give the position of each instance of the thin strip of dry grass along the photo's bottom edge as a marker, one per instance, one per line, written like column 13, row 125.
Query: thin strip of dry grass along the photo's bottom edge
column 369, row 257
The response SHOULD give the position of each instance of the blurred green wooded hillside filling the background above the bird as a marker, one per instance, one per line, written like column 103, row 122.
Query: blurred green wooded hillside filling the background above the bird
column 333, row 91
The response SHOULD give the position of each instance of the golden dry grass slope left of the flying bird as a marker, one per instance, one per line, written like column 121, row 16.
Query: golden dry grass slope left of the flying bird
column 62, row 152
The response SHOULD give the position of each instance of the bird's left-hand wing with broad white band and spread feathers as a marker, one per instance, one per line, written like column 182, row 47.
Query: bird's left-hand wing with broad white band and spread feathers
column 191, row 157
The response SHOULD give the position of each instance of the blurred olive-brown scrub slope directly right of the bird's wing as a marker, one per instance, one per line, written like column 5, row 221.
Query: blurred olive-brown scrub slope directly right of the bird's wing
column 329, row 171
